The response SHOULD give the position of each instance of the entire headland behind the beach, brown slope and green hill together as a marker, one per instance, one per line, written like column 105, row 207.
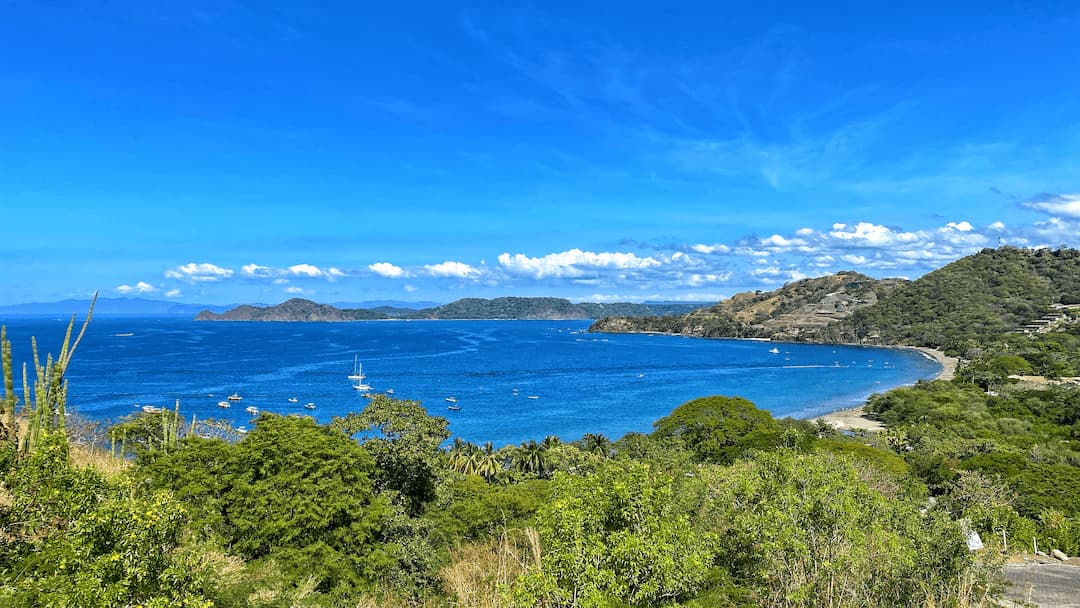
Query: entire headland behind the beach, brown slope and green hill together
column 989, row 293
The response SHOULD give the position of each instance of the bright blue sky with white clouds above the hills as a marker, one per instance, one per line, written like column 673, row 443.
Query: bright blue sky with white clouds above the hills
column 227, row 153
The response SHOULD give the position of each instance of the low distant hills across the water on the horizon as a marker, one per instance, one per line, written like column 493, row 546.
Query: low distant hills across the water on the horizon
column 299, row 310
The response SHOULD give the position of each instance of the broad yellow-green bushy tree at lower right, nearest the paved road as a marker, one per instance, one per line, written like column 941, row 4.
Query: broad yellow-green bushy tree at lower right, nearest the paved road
column 808, row 532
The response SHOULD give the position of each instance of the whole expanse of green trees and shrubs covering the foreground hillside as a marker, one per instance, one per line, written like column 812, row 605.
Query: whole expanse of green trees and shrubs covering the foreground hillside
column 721, row 506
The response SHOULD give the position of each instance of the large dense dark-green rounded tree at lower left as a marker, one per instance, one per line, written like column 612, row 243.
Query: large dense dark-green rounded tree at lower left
column 293, row 492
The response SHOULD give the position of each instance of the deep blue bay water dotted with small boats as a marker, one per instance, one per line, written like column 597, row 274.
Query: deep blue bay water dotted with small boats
column 586, row 383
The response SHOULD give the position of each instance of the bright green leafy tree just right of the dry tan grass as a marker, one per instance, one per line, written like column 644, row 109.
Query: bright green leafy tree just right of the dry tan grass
column 614, row 538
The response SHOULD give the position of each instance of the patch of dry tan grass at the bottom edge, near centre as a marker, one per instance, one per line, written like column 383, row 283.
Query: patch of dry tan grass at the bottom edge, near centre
column 479, row 574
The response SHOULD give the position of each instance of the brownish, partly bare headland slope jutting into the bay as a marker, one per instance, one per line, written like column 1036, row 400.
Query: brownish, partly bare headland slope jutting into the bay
column 800, row 310
